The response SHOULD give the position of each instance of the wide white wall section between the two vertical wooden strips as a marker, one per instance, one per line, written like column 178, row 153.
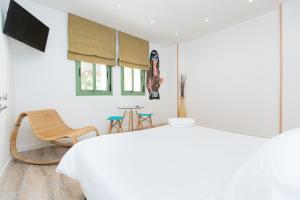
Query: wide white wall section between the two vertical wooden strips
column 233, row 77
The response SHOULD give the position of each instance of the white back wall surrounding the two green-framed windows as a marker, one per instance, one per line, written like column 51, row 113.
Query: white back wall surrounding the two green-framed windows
column 47, row 80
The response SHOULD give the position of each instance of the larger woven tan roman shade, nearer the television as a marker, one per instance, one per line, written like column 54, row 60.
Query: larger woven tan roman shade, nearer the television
column 91, row 42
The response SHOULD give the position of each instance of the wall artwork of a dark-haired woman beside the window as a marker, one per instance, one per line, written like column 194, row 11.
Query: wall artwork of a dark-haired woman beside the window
column 153, row 76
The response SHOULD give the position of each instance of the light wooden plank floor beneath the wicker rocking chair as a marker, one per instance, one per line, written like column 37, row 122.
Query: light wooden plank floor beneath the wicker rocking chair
column 29, row 182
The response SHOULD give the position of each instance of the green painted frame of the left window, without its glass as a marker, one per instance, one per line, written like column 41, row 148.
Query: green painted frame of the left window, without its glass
column 80, row 92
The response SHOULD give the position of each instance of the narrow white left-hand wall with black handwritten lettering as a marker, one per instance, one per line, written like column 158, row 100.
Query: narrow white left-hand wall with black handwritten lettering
column 6, row 85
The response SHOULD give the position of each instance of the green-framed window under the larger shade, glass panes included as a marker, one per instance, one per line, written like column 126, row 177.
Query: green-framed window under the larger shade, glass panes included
column 93, row 79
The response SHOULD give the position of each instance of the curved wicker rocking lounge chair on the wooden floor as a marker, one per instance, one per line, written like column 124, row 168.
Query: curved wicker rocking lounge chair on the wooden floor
column 48, row 126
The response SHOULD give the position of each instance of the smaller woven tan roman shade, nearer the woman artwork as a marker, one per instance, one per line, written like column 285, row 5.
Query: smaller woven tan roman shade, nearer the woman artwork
column 133, row 52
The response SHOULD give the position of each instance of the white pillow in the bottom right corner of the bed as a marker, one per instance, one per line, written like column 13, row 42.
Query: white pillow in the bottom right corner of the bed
column 273, row 173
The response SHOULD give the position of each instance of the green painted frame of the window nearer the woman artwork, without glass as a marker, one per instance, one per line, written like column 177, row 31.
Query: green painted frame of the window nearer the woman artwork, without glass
column 133, row 93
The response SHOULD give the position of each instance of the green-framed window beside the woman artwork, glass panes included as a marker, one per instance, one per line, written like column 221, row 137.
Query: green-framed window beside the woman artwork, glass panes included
column 133, row 81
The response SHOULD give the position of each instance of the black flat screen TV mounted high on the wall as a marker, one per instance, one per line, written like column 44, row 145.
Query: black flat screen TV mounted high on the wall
column 23, row 26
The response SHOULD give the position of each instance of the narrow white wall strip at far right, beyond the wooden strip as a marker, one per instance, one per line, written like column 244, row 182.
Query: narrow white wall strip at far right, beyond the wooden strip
column 291, row 22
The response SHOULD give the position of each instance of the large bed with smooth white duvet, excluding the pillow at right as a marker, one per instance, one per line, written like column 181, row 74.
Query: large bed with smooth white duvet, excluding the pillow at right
column 163, row 163
